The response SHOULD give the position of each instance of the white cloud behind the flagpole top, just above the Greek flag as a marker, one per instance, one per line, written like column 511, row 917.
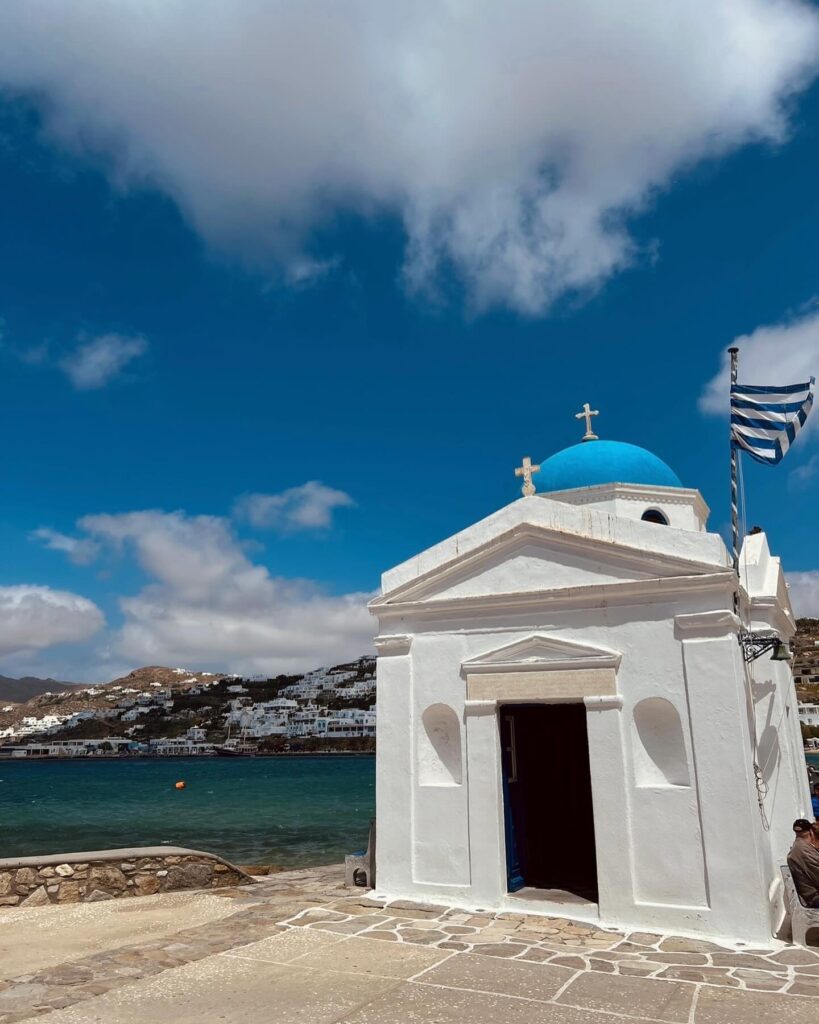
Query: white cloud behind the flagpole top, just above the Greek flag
column 778, row 354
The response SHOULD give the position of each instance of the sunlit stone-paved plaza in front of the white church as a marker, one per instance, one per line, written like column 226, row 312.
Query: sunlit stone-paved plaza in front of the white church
column 299, row 947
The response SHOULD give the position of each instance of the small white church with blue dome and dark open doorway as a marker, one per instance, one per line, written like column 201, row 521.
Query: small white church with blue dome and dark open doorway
column 567, row 721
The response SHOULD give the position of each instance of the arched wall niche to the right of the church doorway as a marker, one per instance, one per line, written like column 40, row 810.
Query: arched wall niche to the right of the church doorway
column 660, row 757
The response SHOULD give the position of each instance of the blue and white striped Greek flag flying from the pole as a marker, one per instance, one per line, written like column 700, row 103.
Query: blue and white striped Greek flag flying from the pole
column 765, row 420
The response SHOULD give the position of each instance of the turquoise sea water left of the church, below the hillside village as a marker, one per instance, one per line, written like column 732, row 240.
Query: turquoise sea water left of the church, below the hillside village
column 290, row 812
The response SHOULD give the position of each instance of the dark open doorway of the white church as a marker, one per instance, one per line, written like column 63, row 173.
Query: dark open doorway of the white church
column 550, row 833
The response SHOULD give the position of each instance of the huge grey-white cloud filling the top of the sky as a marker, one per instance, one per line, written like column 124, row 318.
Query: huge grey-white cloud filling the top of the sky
column 512, row 140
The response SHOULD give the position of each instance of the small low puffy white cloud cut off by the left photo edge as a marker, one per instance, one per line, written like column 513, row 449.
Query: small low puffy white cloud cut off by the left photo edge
column 33, row 618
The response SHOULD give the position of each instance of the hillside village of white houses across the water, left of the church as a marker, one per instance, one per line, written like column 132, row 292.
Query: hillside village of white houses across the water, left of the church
column 174, row 713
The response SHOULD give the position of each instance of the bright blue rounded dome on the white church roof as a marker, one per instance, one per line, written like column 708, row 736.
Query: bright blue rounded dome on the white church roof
column 591, row 463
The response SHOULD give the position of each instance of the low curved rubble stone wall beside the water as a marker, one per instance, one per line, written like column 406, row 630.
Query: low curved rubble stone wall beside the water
column 87, row 878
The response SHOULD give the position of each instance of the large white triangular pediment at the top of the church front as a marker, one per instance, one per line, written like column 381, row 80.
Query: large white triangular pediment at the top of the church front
column 531, row 560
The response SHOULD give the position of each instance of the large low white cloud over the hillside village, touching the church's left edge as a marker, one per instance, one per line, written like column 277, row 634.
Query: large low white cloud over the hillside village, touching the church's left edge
column 207, row 605
